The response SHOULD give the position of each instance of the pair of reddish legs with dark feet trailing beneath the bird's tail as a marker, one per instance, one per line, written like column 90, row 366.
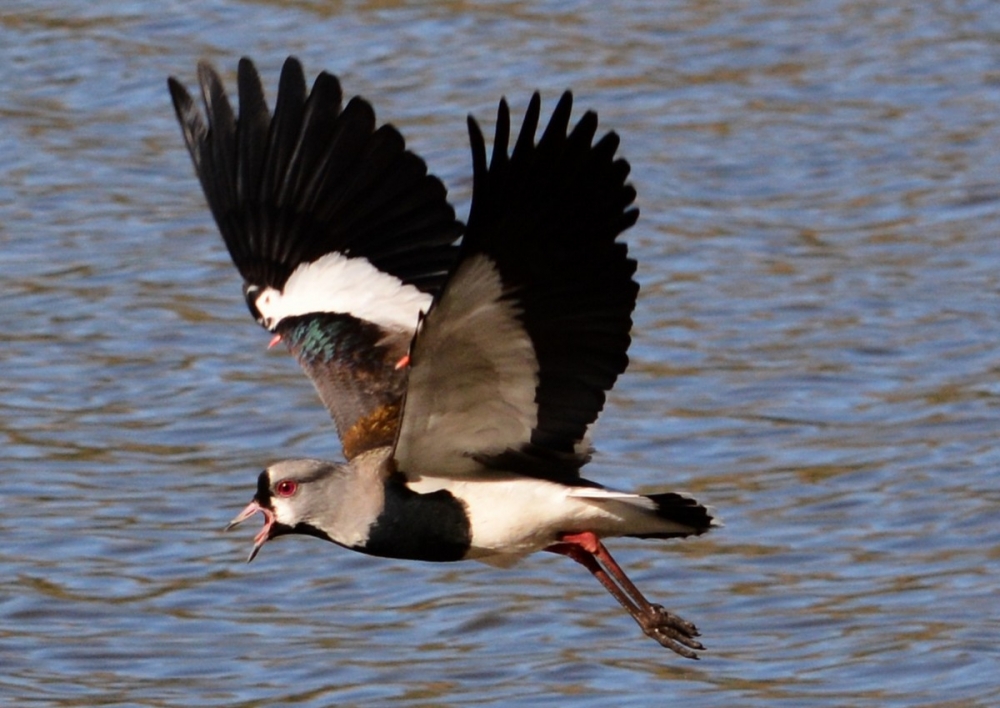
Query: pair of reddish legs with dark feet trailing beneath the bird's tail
column 669, row 630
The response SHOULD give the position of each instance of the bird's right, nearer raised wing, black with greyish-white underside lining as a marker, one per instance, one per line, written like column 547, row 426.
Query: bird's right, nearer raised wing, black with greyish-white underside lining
column 513, row 362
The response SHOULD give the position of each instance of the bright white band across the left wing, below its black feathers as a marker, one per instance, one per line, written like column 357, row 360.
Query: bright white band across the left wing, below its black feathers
column 352, row 286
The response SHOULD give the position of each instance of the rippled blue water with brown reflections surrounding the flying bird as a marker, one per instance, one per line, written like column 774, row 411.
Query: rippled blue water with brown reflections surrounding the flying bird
column 815, row 354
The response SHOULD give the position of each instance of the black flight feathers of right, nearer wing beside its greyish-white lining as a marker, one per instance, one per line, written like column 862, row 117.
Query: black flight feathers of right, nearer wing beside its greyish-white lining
column 549, row 215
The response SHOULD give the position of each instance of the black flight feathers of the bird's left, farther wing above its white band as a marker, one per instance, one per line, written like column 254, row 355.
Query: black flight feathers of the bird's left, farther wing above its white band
column 313, row 179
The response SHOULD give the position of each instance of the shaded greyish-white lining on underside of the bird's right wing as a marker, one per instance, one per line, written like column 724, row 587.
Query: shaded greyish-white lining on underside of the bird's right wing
column 473, row 378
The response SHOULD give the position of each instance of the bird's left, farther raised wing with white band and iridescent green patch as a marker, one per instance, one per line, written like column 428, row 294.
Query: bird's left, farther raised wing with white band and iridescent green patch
column 341, row 236
